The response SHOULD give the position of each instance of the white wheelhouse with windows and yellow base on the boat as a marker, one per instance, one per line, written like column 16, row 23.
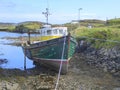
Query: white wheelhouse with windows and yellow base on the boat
column 47, row 32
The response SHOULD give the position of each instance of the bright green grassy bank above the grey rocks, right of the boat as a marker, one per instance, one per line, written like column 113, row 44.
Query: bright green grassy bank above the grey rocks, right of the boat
column 99, row 37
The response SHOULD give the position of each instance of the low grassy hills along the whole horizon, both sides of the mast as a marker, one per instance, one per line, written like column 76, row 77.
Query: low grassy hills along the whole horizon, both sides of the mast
column 33, row 25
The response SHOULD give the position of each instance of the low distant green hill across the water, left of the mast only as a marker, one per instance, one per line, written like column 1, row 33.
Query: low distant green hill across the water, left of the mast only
column 20, row 27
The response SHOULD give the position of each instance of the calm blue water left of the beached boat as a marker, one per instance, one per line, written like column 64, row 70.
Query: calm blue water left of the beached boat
column 13, row 54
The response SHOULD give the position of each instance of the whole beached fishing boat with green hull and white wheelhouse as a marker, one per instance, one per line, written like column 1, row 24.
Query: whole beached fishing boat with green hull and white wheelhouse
column 55, row 47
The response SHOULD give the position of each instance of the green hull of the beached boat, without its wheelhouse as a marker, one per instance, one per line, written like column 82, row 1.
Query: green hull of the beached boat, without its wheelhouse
column 49, row 53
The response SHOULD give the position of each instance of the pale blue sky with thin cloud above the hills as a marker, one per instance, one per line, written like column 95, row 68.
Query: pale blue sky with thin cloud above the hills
column 61, row 11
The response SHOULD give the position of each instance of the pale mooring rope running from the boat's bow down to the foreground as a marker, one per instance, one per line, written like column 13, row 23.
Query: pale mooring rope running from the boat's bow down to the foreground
column 60, row 64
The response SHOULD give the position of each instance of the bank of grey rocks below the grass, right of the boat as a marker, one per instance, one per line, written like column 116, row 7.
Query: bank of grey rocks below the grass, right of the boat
column 107, row 59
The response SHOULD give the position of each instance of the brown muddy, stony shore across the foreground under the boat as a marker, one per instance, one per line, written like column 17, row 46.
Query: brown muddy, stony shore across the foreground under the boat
column 79, row 77
